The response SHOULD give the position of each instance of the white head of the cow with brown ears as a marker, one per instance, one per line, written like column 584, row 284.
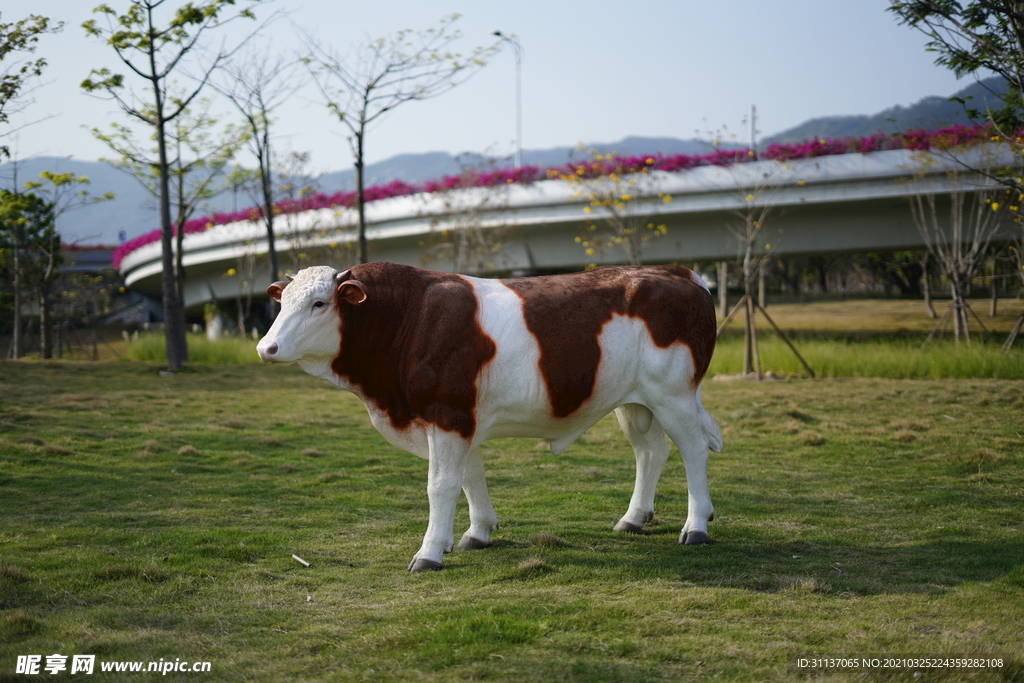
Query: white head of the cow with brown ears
column 308, row 327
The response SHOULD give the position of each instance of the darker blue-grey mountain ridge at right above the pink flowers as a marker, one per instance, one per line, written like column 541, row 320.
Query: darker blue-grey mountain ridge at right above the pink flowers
column 929, row 113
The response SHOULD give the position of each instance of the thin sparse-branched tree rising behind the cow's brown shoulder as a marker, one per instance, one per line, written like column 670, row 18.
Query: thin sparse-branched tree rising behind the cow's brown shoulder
column 410, row 66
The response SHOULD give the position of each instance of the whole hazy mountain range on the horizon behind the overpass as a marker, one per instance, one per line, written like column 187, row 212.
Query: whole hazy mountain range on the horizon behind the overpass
column 135, row 212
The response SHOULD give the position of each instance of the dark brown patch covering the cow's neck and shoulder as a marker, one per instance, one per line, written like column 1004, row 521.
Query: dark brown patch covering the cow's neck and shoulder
column 413, row 346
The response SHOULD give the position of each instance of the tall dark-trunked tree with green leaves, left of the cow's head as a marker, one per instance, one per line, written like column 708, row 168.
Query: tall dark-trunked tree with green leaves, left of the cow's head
column 155, row 55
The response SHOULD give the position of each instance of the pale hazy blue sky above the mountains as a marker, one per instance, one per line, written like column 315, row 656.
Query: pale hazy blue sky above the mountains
column 592, row 72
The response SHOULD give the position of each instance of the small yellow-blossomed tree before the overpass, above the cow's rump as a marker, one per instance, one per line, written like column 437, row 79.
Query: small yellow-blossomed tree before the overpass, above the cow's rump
column 623, row 197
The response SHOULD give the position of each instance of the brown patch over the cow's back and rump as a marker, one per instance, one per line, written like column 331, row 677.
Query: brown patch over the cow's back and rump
column 566, row 314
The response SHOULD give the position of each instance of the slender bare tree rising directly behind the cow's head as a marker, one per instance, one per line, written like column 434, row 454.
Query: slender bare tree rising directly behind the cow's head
column 258, row 84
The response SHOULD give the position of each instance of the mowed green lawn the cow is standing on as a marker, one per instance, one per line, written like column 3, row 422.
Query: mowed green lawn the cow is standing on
column 147, row 518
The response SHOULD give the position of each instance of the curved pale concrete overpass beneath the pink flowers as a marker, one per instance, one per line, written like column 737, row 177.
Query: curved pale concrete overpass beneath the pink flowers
column 844, row 203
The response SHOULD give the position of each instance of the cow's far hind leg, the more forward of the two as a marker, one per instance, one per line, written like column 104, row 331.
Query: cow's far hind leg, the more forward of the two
column 648, row 439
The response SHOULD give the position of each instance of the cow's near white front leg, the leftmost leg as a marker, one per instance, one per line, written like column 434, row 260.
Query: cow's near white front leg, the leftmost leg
column 446, row 463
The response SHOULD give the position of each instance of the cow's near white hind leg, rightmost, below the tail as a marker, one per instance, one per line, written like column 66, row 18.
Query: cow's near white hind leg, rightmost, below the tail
column 687, row 424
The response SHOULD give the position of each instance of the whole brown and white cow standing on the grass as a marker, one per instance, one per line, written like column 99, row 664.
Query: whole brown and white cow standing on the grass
column 445, row 363
